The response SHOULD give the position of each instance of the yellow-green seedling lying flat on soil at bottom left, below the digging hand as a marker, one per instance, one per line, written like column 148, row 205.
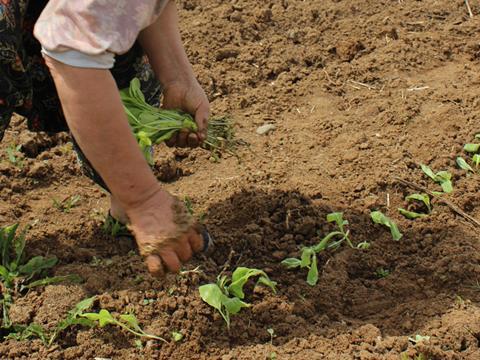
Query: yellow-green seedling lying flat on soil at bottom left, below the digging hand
column 127, row 322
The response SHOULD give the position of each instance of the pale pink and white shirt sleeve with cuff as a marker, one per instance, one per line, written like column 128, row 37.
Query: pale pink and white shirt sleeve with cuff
column 89, row 33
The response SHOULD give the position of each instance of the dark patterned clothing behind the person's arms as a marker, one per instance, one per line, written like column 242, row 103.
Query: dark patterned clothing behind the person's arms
column 26, row 86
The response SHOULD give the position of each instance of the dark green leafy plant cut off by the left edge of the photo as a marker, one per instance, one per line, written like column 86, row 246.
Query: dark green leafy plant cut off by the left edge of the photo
column 18, row 274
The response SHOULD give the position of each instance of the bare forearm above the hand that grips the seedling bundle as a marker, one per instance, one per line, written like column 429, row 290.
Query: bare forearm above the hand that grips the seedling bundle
column 163, row 46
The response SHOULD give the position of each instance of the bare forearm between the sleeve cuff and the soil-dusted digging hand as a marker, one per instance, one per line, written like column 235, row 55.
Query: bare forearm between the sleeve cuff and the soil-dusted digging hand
column 95, row 116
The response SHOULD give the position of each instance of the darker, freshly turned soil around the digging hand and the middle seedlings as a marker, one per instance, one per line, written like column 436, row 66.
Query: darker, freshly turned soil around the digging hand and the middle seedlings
column 427, row 268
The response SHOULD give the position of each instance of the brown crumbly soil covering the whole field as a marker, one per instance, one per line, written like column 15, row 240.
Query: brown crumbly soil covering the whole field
column 360, row 93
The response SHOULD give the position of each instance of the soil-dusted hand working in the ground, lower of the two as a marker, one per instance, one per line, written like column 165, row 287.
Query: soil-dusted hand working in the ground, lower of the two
column 164, row 232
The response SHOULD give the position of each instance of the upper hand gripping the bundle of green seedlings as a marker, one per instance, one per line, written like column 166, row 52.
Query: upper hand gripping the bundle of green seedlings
column 188, row 95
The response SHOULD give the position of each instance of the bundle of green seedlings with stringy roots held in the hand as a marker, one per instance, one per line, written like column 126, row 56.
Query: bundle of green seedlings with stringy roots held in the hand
column 152, row 125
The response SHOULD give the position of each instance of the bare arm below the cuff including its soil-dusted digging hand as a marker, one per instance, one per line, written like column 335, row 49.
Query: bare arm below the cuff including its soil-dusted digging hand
column 95, row 116
